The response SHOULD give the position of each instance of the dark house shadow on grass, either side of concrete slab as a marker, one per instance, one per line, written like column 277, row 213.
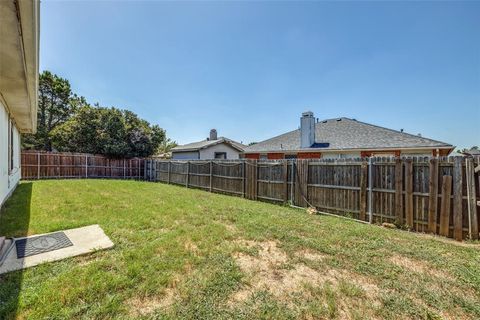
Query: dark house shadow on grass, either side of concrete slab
column 14, row 222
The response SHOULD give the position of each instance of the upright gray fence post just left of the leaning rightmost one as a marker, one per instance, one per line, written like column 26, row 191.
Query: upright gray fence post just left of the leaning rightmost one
column 457, row 199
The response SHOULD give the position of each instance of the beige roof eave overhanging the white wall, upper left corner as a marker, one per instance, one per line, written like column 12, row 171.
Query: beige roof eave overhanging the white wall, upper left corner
column 19, row 31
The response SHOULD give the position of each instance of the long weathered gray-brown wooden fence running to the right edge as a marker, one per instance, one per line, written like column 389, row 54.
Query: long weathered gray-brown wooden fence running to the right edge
column 435, row 195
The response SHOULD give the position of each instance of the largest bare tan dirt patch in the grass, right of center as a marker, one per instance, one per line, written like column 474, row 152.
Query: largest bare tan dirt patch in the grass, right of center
column 270, row 270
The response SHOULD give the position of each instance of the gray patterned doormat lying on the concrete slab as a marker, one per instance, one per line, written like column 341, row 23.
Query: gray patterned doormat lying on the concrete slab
column 46, row 243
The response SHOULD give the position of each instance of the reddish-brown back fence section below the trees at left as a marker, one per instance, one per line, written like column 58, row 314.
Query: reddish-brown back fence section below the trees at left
column 62, row 165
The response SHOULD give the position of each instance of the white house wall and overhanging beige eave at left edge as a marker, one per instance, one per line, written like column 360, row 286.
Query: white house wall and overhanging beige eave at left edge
column 19, row 35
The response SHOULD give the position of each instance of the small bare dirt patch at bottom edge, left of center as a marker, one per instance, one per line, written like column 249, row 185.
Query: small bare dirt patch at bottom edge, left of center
column 146, row 305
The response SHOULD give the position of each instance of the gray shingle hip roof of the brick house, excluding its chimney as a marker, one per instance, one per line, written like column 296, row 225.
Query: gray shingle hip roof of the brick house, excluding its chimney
column 347, row 134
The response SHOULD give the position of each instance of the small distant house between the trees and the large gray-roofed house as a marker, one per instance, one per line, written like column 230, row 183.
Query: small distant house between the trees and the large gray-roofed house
column 212, row 148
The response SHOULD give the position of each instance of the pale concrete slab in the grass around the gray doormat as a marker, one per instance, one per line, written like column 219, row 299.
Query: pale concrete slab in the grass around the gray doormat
column 85, row 240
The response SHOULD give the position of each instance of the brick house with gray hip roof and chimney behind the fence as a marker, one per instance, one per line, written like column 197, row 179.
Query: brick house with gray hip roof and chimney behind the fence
column 344, row 138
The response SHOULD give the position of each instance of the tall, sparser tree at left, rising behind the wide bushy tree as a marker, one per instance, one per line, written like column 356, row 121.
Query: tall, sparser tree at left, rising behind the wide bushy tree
column 56, row 104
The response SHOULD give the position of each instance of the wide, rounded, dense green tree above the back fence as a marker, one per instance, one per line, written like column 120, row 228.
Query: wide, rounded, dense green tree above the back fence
column 108, row 131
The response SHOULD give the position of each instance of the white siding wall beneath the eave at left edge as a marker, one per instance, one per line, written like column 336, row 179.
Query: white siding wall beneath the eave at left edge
column 8, row 181
